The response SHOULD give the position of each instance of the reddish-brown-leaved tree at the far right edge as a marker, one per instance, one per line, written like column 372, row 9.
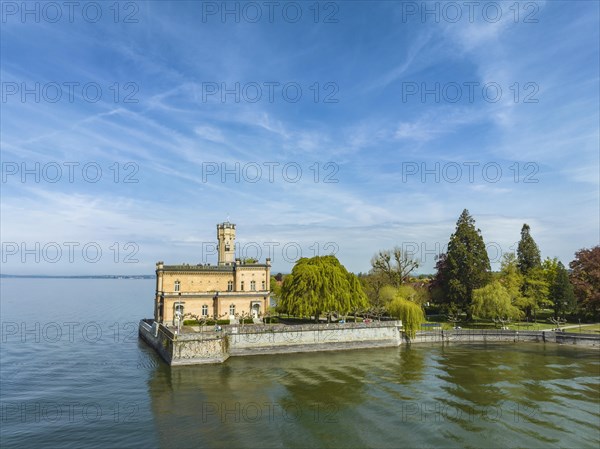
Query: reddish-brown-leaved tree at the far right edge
column 585, row 277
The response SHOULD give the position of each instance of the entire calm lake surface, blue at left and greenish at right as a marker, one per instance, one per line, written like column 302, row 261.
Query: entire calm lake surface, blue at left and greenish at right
column 73, row 374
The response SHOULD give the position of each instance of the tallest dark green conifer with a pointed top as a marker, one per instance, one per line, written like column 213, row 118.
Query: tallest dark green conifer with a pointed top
column 467, row 264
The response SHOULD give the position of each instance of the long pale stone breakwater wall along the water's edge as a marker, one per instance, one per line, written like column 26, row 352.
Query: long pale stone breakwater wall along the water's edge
column 208, row 346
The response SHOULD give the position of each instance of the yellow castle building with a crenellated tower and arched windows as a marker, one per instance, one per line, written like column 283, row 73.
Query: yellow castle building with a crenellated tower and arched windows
column 213, row 291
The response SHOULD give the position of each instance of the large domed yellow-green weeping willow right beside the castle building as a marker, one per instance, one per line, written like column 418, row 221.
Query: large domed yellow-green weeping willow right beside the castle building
column 321, row 284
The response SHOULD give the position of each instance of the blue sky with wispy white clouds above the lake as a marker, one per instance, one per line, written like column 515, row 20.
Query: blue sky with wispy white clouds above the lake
column 397, row 118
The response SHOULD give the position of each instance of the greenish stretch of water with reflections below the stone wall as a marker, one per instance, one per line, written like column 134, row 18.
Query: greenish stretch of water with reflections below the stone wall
column 459, row 395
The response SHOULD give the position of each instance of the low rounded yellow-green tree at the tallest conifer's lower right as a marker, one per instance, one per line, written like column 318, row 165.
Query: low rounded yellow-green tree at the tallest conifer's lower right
column 494, row 302
